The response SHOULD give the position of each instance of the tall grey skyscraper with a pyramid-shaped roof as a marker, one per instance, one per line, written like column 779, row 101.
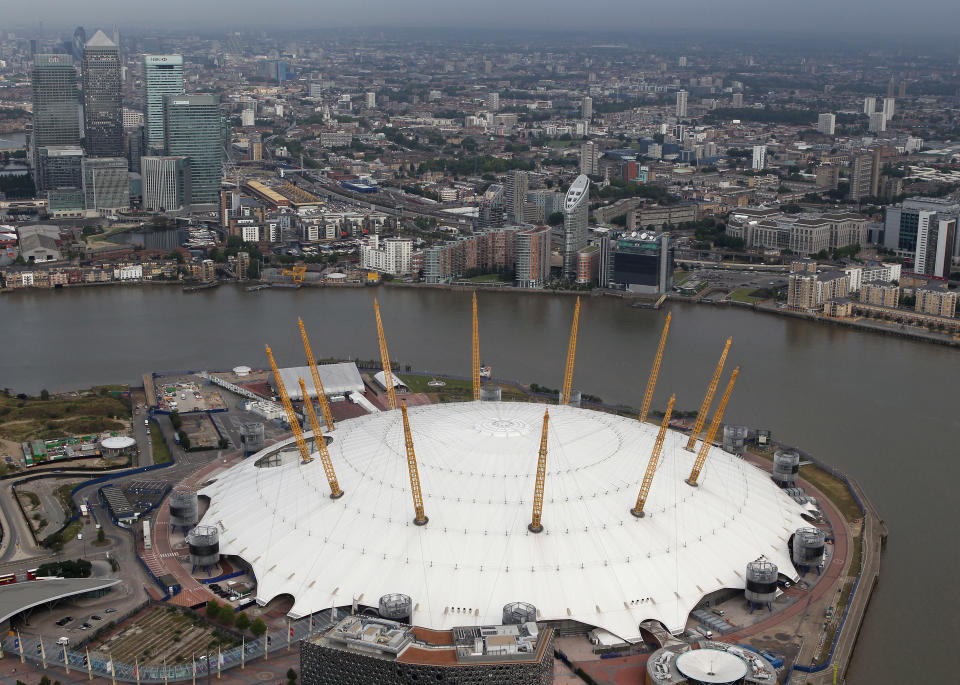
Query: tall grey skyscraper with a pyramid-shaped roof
column 102, row 101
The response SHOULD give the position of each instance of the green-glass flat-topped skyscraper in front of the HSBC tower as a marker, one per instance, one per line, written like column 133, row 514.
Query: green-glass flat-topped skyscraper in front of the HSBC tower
column 192, row 128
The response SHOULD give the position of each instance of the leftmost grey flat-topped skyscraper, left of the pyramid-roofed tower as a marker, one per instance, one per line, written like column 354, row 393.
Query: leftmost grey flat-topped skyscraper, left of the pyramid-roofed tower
column 55, row 116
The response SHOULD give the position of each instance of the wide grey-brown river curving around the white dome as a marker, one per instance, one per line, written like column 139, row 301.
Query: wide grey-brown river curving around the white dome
column 879, row 407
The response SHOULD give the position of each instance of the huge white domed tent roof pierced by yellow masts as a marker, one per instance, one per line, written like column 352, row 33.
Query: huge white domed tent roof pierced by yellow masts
column 594, row 562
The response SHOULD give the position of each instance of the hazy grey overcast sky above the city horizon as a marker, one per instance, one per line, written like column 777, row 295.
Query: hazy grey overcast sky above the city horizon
column 912, row 19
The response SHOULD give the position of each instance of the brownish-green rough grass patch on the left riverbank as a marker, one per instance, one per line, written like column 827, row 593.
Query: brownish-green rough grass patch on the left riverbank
column 38, row 419
